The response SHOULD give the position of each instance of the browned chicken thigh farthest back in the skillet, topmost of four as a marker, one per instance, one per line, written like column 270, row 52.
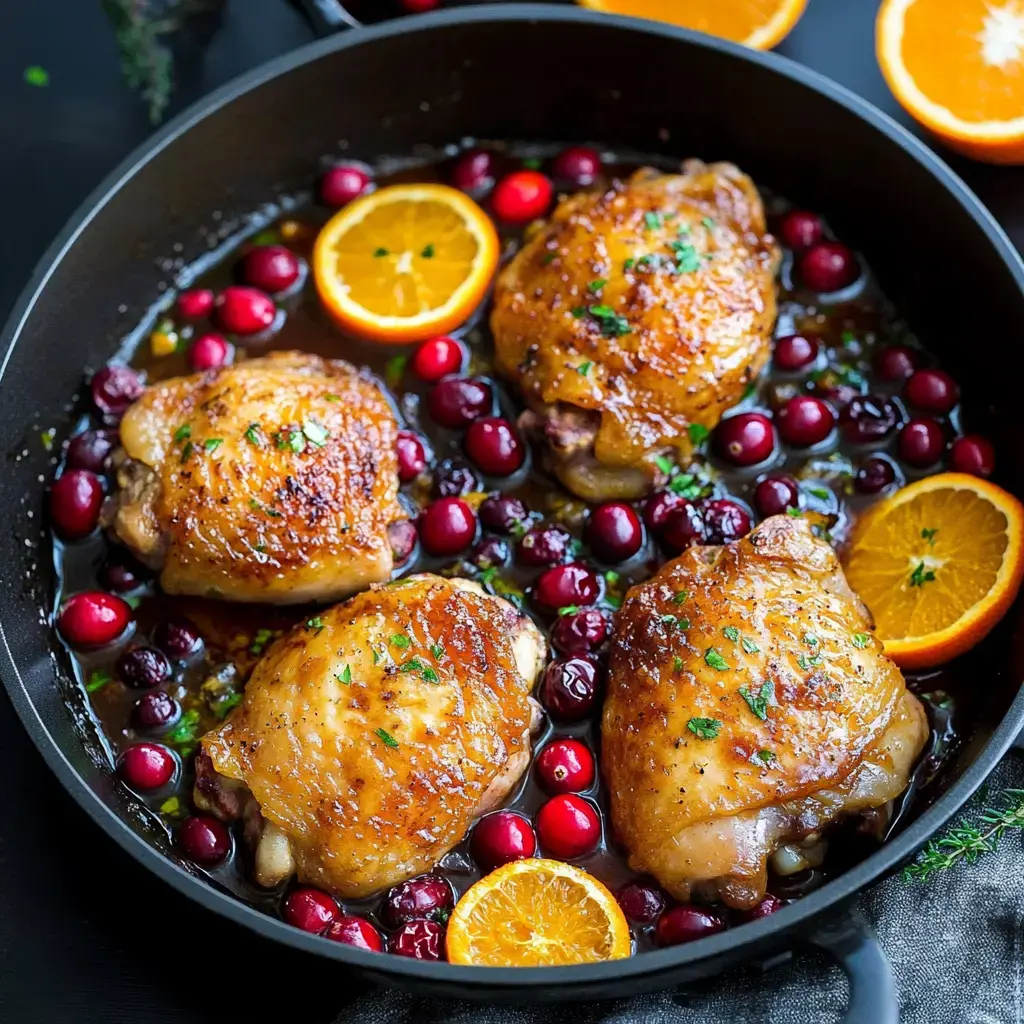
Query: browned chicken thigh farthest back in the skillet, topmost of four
column 686, row 261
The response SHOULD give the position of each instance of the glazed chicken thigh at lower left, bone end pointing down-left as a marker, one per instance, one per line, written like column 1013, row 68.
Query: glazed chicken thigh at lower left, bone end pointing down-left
column 371, row 737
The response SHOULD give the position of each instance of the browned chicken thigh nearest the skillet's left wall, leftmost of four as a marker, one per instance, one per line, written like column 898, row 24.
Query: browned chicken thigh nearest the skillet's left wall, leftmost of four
column 272, row 481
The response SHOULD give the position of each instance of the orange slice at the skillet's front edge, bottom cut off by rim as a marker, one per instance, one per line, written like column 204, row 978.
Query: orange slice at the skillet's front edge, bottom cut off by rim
column 537, row 913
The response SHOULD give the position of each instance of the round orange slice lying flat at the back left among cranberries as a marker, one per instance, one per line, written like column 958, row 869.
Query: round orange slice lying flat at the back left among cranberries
column 406, row 263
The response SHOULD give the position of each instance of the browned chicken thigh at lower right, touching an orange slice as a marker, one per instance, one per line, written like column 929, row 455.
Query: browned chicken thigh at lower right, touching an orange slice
column 763, row 644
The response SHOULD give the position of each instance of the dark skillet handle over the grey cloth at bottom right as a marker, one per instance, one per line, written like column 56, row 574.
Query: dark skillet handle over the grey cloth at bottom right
column 851, row 942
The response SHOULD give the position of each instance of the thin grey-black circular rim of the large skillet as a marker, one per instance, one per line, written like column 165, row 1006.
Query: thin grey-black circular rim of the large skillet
column 477, row 980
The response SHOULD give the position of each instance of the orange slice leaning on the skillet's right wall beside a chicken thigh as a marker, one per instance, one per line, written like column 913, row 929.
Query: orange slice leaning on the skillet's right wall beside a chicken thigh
column 938, row 565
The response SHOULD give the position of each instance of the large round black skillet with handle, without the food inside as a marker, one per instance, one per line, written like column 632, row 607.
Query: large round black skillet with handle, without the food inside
column 523, row 72
